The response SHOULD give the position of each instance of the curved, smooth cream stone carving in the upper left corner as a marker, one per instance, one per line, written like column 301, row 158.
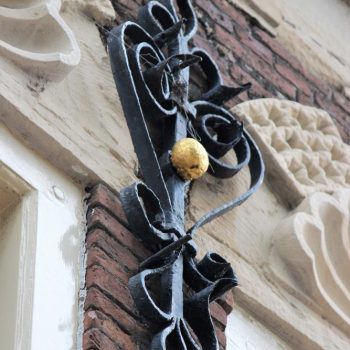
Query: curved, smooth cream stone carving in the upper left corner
column 36, row 38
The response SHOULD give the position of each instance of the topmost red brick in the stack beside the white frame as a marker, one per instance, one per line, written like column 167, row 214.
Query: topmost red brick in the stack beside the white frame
column 102, row 196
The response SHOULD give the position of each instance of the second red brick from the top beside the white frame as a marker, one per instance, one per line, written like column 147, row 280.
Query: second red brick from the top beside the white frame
column 99, row 218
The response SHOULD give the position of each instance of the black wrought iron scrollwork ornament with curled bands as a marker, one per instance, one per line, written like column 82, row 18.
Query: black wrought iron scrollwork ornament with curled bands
column 151, row 62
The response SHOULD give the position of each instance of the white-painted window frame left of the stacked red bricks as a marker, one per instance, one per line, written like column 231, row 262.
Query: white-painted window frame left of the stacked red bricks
column 52, row 233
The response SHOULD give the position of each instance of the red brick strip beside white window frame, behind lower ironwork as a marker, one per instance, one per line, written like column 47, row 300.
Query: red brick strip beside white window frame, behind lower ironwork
column 111, row 321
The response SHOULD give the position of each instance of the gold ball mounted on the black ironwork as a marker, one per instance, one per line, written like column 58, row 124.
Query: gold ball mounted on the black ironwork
column 189, row 158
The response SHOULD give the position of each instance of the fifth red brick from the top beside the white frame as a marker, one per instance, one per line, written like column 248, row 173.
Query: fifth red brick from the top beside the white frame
column 111, row 287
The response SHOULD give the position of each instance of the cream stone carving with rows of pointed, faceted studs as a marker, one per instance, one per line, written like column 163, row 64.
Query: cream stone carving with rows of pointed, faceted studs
column 302, row 148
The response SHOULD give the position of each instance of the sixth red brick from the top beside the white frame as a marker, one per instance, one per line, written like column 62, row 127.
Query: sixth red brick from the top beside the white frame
column 96, row 300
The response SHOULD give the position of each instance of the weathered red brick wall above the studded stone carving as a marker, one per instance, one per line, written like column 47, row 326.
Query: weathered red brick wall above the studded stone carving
column 246, row 53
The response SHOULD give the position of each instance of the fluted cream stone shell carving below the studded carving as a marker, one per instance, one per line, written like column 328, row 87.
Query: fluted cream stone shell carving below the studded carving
column 311, row 255
